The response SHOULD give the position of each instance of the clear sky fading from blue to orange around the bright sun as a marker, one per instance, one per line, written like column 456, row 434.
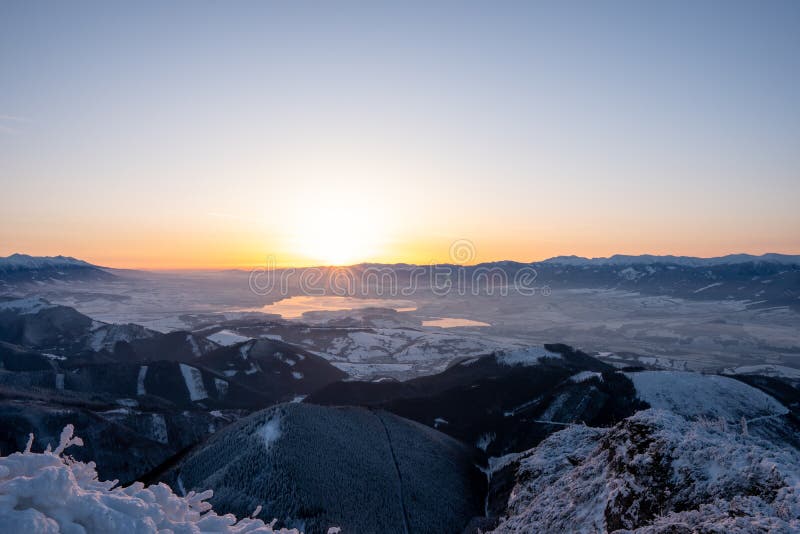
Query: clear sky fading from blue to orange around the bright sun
column 221, row 134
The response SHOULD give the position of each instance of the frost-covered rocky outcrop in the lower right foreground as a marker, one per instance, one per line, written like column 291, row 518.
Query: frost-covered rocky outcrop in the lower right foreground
column 655, row 472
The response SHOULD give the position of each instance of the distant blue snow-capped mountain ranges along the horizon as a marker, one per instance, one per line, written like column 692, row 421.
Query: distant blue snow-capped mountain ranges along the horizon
column 766, row 281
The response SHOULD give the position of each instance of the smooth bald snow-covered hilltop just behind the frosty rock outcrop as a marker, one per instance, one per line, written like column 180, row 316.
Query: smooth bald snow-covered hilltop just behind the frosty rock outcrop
column 696, row 395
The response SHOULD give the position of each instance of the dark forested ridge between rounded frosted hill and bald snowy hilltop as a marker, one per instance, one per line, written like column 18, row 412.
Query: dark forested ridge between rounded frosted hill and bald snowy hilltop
column 505, row 402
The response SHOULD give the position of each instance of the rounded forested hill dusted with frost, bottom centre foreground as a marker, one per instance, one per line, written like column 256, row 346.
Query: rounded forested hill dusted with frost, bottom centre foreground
column 316, row 467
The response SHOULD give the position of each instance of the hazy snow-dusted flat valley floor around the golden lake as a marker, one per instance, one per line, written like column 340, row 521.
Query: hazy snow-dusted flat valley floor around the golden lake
column 674, row 332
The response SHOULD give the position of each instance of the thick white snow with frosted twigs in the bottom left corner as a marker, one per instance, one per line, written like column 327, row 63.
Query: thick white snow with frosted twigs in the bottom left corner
column 49, row 493
